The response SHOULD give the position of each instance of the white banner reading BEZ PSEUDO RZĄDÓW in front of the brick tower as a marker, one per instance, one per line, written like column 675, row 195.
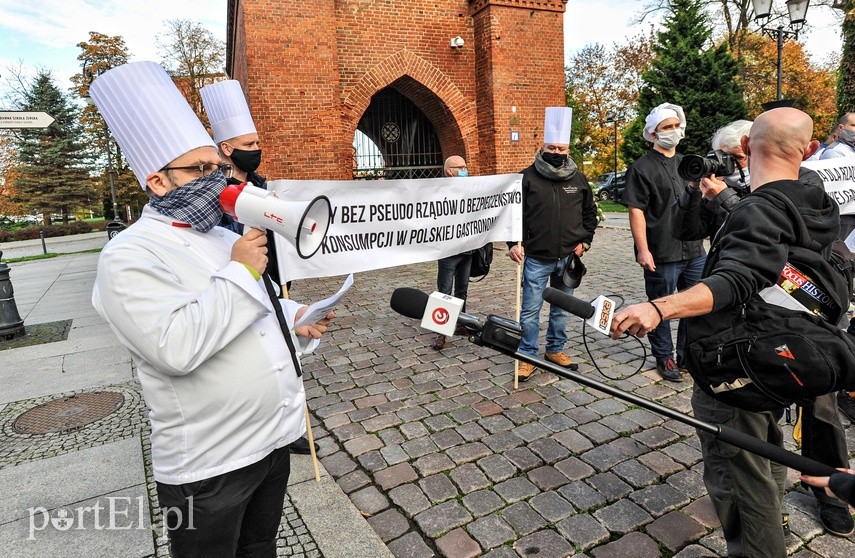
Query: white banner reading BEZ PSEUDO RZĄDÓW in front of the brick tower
column 386, row 223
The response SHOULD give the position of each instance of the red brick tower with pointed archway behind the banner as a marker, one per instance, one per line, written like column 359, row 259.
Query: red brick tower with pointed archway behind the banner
column 315, row 71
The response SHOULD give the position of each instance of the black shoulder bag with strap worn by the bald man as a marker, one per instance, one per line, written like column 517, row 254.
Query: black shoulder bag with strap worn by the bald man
column 759, row 356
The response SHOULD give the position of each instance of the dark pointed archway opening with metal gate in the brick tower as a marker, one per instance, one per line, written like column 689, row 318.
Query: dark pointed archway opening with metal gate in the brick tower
column 394, row 139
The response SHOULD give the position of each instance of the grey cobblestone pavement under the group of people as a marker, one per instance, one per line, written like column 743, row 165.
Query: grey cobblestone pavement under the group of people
column 445, row 458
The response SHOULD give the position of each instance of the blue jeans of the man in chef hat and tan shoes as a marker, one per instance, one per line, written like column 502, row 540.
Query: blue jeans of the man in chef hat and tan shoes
column 536, row 273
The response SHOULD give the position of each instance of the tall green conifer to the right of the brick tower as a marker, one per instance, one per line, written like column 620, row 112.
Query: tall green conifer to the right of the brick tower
column 691, row 72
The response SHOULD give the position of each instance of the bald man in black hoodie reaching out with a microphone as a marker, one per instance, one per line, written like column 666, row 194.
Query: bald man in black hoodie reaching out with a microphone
column 752, row 248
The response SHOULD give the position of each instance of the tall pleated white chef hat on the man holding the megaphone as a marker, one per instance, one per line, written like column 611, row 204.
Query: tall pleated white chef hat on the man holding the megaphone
column 148, row 116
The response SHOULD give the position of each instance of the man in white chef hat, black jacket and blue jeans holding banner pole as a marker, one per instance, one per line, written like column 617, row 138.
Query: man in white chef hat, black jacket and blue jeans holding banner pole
column 559, row 220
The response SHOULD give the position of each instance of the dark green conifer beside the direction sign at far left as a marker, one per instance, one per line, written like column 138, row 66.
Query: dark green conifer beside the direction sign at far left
column 53, row 177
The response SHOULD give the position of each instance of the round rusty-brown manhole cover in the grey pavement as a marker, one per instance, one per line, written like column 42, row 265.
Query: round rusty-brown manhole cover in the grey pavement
column 69, row 412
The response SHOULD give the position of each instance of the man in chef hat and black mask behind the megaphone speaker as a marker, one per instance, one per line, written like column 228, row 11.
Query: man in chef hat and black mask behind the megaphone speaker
column 237, row 139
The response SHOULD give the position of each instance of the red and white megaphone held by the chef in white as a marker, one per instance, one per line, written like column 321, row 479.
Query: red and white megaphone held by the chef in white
column 303, row 224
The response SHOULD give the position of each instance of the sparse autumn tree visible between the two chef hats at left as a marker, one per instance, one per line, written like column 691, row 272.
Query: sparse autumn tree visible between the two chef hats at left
column 194, row 58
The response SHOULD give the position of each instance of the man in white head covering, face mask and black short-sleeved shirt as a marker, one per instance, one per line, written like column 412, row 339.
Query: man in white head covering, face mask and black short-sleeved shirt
column 652, row 185
